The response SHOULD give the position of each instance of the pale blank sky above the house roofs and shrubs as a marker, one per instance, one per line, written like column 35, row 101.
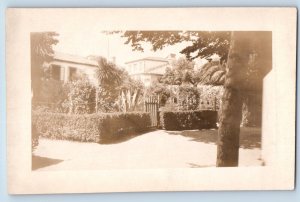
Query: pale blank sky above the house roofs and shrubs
column 91, row 41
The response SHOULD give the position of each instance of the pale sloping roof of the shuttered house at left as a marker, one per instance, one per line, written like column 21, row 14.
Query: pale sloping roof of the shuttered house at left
column 74, row 59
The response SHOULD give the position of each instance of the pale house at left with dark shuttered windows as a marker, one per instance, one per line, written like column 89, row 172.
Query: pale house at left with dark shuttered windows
column 67, row 67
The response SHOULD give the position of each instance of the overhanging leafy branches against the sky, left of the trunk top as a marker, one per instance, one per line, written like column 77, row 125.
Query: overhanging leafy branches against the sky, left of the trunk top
column 204, row 43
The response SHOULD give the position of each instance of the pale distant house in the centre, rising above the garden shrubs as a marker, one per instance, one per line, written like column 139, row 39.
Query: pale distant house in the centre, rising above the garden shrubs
column 149, row 69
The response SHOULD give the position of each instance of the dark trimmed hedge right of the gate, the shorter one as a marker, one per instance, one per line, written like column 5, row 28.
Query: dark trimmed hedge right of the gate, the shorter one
column 188, row 120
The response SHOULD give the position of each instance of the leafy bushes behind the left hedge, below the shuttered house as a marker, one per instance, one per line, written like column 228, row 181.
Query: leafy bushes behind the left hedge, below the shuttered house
column 77, row 97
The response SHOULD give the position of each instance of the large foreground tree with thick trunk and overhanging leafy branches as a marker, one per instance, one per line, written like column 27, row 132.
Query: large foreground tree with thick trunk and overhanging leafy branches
column 249, row 60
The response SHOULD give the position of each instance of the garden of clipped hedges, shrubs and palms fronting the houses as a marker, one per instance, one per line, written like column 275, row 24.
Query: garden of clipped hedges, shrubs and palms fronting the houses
column 186, row 98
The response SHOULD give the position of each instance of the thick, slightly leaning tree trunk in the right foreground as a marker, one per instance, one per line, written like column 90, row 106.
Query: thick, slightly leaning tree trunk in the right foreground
column 231, row 109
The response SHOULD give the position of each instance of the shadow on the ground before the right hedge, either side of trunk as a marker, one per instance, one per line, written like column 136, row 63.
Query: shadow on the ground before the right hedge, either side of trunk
column 250, row 138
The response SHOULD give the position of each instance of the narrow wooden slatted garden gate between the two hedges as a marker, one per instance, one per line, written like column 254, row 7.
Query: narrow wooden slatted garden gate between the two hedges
column 152, row 106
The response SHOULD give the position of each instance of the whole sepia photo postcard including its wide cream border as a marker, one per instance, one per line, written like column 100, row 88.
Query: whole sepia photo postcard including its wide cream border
column 134, row 103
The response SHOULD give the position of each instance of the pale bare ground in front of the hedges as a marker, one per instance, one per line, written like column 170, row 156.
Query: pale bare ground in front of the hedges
column 156, row 149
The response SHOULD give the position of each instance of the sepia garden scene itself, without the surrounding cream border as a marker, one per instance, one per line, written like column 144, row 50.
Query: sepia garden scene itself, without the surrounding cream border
column 147, row 99
